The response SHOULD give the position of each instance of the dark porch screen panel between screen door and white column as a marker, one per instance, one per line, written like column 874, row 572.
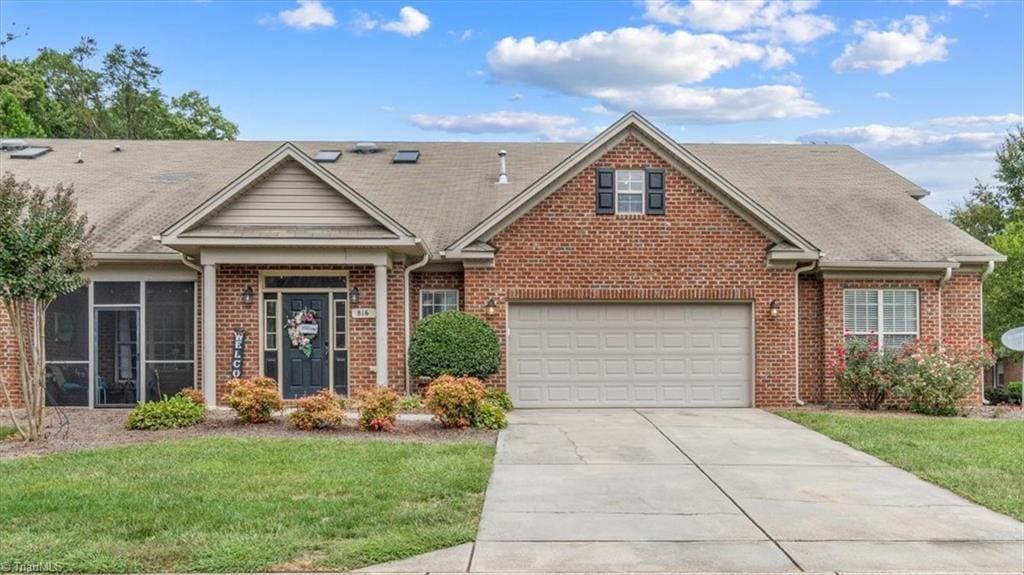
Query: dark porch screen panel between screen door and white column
column 170, row 338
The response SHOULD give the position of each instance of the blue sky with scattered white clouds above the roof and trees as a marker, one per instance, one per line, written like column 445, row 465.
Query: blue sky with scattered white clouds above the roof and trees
column 930, row 89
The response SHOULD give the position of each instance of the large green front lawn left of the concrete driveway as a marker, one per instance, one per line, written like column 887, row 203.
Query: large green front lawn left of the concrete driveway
column 238, row 505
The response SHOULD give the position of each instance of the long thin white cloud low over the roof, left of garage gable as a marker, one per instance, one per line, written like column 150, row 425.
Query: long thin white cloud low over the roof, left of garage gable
column 550, row 127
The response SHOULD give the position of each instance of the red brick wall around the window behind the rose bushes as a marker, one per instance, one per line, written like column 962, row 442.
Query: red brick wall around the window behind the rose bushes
column 961, row 325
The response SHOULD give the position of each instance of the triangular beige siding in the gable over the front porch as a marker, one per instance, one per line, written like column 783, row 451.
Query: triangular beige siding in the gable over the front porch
column 292, row 196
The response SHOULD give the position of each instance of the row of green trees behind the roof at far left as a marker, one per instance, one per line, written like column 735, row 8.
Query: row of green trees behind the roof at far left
column 59, row 95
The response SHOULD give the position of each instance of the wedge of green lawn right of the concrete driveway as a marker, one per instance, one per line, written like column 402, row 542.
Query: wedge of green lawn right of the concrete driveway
column 982, row 460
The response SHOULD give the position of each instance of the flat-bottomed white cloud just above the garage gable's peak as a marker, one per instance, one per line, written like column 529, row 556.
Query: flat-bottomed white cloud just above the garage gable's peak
column 714, row 106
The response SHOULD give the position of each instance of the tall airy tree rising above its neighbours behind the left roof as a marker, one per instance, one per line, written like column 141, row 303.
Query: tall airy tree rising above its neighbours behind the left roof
column 132, row 80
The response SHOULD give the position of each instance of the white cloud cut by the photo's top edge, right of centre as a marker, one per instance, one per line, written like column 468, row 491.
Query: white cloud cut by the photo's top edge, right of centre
column 778, row 21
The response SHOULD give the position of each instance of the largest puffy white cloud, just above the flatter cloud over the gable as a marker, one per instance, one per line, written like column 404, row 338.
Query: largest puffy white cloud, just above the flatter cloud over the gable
column 638, row 57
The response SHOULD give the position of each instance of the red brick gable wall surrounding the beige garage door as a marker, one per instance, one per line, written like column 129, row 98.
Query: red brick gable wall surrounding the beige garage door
column 700, row 250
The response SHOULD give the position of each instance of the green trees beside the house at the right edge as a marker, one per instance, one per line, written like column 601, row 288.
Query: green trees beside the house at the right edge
column 995, row 214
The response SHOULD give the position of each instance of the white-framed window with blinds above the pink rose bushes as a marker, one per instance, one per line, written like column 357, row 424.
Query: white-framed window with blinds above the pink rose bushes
column 887, row 317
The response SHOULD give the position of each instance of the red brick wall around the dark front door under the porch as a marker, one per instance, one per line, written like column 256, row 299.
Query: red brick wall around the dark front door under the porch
column 232, row 314
